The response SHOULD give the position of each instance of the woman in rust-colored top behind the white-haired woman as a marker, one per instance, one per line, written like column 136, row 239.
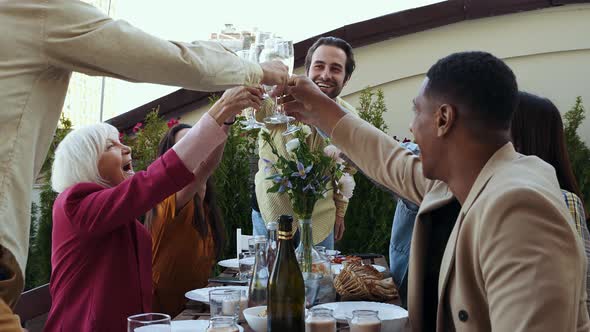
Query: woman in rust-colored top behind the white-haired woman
column 187, row 234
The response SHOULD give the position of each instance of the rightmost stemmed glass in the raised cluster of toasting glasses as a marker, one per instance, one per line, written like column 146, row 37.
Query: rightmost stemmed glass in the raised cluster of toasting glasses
column 281, row 50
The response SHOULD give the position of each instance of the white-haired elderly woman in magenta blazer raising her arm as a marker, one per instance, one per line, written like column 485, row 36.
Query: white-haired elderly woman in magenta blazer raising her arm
column 101, row 255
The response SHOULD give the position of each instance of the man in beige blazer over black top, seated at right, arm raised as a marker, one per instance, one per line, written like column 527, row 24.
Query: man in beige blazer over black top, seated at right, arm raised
column 512, row 261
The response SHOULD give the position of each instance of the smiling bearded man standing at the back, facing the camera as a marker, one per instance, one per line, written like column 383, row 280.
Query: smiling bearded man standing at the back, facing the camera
column 329, row 64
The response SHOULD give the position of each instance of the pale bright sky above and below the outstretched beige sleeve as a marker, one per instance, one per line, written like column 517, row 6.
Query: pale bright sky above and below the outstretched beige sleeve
column 188, row 20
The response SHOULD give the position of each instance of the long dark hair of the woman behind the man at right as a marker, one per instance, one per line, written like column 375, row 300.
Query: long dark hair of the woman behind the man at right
column 537, row 129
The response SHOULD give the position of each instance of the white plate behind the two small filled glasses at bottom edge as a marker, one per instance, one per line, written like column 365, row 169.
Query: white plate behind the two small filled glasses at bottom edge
column 393, row 318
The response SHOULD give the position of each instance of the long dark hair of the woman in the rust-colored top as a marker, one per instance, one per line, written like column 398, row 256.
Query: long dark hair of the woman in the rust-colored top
column 202, row 216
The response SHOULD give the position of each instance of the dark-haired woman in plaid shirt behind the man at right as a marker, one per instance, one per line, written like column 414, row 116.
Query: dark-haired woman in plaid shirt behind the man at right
column 537, row 130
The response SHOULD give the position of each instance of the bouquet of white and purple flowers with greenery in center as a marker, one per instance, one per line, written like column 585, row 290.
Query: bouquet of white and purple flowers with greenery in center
column 304, row 174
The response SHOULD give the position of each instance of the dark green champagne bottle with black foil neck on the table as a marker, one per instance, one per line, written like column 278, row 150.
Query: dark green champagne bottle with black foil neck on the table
column 286, row 290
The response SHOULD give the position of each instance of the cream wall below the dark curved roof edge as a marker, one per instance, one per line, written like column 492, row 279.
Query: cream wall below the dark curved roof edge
column 549, row 51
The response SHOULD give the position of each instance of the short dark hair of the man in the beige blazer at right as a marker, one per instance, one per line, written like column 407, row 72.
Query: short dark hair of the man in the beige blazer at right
column 478, row 82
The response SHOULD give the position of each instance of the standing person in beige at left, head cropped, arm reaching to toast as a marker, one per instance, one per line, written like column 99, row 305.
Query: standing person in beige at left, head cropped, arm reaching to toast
column 41, row 44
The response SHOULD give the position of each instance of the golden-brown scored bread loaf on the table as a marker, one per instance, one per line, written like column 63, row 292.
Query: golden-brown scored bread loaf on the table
column 364, row 282
